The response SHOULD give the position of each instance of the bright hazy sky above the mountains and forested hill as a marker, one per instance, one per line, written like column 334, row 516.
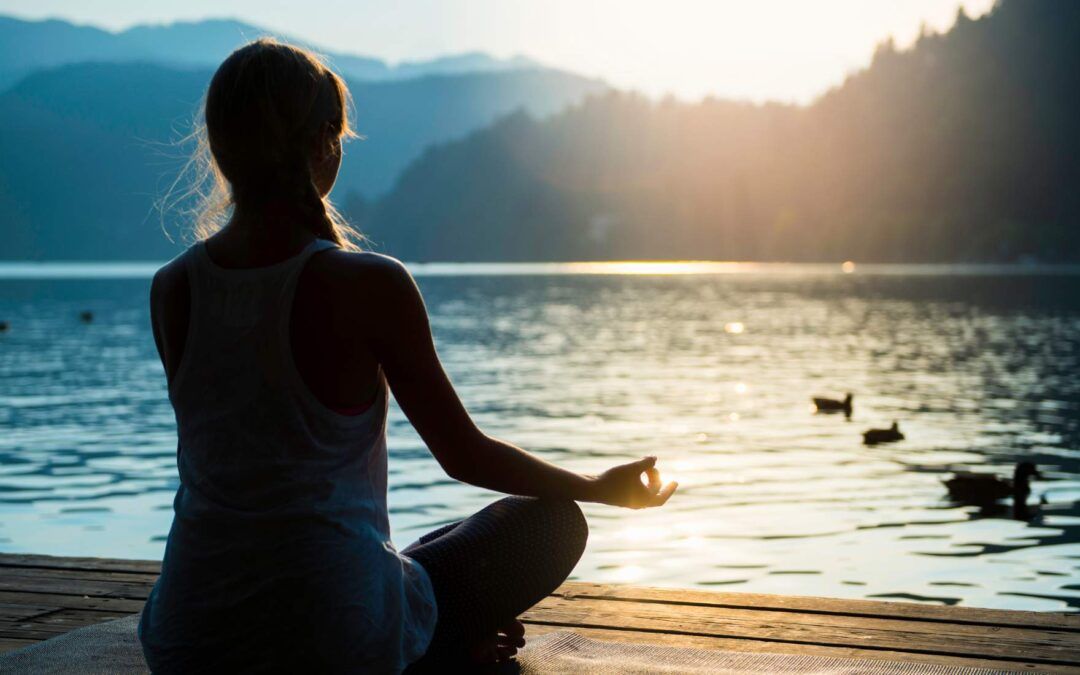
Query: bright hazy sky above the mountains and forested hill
column 786, row 50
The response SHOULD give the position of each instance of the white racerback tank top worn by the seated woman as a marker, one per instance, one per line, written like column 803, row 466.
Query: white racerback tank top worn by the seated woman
column 281, row 516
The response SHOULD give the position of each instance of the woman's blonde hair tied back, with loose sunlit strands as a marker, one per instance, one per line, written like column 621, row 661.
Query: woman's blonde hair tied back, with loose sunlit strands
column 265, row 106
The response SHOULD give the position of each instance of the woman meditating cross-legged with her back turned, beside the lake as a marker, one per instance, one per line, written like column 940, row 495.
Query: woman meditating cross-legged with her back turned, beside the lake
column 279, row 341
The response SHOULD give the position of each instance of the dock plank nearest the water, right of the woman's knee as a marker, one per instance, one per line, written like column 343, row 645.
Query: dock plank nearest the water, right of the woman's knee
column 1061, row 622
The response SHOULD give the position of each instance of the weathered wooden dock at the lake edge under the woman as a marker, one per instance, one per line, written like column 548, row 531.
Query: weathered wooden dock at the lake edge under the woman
column 44, row 597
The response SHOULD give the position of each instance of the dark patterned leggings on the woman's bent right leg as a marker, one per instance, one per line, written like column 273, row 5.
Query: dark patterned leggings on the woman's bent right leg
column 493, row 566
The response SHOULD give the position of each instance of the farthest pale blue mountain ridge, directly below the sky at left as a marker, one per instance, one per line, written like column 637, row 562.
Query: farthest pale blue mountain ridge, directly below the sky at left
column 31, row 46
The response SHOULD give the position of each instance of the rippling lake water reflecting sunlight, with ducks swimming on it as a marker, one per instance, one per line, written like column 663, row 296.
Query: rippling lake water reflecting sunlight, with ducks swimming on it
column 709, row 367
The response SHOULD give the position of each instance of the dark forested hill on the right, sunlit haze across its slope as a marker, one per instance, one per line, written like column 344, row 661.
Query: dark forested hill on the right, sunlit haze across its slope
column 964, row 147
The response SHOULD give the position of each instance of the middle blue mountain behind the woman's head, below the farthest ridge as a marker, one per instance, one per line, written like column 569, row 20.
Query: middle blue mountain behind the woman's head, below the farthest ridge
column 89, row 148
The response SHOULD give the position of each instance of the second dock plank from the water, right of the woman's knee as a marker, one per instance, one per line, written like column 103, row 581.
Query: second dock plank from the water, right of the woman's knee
column 835, row 631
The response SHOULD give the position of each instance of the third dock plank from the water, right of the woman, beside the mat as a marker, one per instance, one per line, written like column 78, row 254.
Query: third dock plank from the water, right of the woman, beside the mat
column 533, row 631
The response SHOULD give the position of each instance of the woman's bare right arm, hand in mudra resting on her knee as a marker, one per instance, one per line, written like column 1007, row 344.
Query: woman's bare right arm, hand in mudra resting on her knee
column 401, row 339
